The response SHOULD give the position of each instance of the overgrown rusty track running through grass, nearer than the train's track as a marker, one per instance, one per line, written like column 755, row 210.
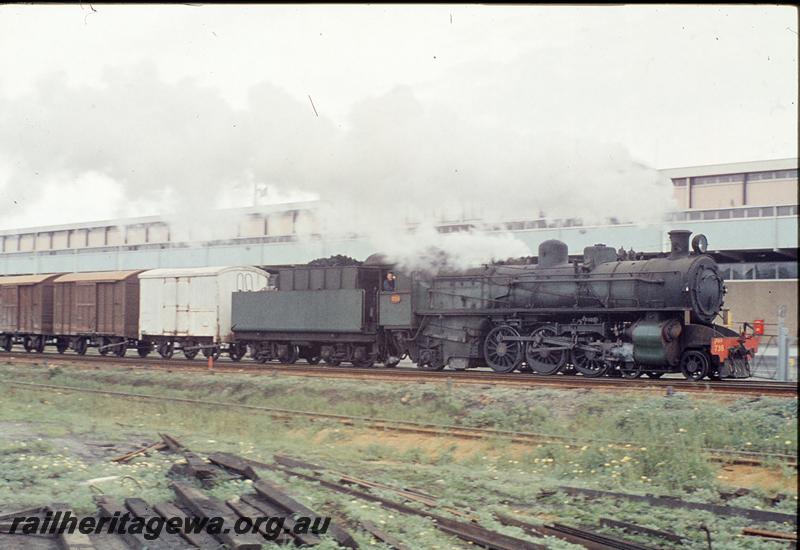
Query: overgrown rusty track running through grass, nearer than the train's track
column 730, row 456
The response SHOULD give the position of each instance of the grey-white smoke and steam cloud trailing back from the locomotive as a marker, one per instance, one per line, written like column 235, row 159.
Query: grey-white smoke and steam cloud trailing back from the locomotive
column 137, row 145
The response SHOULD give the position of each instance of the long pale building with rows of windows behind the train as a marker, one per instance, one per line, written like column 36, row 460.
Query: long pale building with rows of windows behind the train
column 748, row 211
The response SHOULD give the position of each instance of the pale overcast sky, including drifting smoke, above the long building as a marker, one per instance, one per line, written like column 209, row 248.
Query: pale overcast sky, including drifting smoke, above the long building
column 109, row 111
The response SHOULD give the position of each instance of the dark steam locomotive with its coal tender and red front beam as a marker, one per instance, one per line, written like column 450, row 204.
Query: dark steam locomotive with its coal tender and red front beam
column 600, row 316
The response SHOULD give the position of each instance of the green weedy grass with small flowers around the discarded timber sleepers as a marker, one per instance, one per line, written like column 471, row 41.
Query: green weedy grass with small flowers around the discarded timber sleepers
column 39, row 464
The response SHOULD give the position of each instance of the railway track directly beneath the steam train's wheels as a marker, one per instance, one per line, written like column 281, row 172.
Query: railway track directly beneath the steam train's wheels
column 738, row 387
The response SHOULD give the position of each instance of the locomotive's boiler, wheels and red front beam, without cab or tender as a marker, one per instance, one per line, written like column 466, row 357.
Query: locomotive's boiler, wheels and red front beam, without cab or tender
column 601, row 315
